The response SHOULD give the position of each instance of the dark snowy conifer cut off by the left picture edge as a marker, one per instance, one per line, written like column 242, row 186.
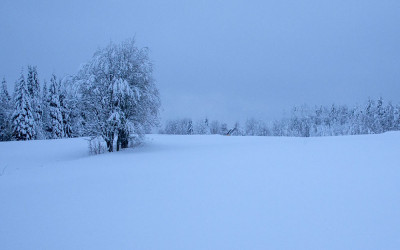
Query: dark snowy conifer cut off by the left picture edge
column 5, row 112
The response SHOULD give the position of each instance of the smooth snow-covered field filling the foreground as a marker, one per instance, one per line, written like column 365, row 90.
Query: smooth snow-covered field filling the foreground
column 203, row 192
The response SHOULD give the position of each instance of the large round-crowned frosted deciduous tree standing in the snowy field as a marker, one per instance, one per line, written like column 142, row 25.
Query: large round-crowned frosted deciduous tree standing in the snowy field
column 119, row 97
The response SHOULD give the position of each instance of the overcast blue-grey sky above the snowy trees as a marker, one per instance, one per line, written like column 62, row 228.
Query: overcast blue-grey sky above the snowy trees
column 222, row 59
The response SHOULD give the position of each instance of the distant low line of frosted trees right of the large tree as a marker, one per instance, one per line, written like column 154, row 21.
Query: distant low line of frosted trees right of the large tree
column 375, row 117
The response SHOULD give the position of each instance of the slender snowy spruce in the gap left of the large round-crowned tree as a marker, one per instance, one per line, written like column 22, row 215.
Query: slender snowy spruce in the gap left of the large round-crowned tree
column 56, row 121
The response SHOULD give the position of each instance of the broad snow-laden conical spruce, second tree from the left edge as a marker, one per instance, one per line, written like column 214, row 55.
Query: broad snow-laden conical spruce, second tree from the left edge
column 23, row 120
